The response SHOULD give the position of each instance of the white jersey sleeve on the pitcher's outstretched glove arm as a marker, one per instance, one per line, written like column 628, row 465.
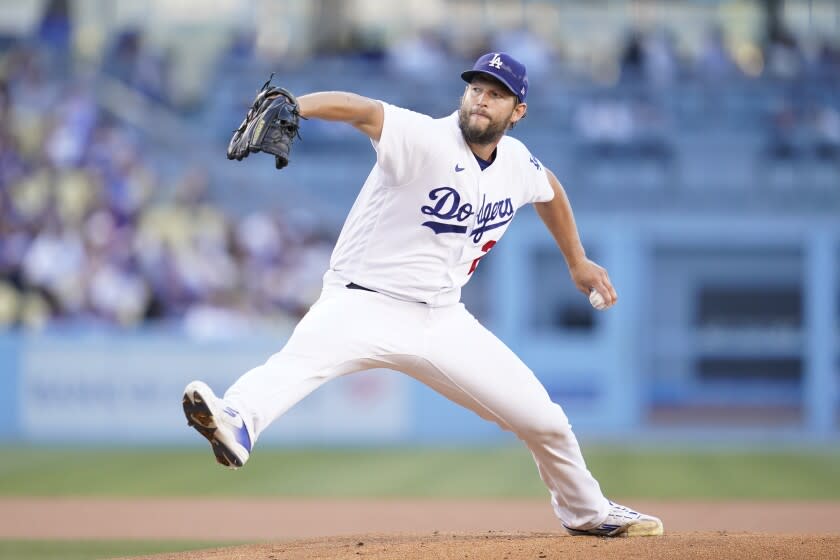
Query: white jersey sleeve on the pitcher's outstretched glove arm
column 405, row 144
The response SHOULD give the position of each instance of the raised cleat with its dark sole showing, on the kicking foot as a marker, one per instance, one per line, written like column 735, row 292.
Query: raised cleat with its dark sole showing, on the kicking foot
column 223, row 426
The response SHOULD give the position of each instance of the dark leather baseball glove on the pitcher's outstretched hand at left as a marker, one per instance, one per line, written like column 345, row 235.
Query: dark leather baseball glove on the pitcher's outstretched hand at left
column 271, row 125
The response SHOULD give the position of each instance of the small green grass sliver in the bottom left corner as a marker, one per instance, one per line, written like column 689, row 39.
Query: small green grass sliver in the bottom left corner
column 89, row 550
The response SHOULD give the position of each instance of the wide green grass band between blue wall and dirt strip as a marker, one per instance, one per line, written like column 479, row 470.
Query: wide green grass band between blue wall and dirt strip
column 506, row 472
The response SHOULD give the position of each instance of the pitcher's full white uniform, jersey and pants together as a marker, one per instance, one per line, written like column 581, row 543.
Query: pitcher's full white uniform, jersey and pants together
column 424, row 216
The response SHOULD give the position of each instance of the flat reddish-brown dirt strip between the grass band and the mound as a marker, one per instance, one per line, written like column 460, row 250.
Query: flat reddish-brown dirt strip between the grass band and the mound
column 272, row 520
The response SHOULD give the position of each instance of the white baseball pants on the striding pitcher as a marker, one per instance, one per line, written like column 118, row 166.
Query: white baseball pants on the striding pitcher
column 446, row 348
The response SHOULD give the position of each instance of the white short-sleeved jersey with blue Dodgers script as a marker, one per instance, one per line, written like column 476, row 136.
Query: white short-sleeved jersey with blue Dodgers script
column 427, row 212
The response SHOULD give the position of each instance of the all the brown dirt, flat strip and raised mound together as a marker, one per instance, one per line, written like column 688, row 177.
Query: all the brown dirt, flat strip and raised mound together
column 421, row 529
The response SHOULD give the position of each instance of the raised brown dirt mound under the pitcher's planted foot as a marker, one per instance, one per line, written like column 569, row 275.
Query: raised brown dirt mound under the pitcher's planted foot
column 512, row 546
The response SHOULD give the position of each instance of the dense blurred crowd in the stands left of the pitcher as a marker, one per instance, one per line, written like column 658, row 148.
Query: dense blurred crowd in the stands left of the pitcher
column 91, row 234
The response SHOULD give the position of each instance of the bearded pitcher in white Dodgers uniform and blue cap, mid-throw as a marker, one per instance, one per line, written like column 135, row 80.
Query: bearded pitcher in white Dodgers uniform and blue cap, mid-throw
column 440, row 196
